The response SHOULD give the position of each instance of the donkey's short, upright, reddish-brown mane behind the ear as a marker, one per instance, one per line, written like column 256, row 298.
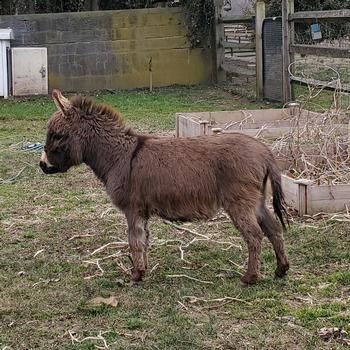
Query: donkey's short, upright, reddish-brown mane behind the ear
column 100, row 110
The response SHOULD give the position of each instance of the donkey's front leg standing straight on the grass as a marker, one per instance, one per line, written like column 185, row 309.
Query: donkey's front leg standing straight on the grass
column 138, row 243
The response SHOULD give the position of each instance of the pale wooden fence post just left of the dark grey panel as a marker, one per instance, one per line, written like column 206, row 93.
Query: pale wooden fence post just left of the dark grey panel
column 259, row 20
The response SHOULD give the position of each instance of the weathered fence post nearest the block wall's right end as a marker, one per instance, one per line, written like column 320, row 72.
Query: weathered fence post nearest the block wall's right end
column 220, row 75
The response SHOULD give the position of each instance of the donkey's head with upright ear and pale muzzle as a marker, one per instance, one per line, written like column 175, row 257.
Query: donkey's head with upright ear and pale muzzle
column 63, row 147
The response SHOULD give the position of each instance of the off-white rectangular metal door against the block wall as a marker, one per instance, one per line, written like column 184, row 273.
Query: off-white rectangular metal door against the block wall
column 29, row 71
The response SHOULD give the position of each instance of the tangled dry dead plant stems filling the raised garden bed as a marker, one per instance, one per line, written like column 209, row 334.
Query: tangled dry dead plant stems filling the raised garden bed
column 316, row 147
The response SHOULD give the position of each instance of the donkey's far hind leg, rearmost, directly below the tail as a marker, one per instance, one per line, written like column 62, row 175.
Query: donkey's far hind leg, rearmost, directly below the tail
column 273, row 232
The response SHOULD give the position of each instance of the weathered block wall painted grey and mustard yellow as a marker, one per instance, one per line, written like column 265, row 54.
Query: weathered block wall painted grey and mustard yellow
column 112, row 49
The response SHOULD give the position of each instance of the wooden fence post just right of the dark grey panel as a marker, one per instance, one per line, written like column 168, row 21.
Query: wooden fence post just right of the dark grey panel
column 287, row 37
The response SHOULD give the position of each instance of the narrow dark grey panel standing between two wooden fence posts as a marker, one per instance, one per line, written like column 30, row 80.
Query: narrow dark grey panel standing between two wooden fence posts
column 272, row 59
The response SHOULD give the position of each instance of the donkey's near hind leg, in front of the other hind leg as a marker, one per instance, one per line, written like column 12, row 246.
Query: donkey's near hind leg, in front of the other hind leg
column 243, row 217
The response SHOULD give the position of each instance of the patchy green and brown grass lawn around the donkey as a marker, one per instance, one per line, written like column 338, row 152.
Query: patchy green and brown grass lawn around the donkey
column 47, row 288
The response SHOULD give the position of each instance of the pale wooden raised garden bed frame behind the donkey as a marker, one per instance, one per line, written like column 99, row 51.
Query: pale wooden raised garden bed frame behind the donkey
column 304, row 195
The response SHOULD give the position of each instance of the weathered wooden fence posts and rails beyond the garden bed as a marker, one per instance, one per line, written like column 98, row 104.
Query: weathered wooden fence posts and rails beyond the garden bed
column 244, row 34
